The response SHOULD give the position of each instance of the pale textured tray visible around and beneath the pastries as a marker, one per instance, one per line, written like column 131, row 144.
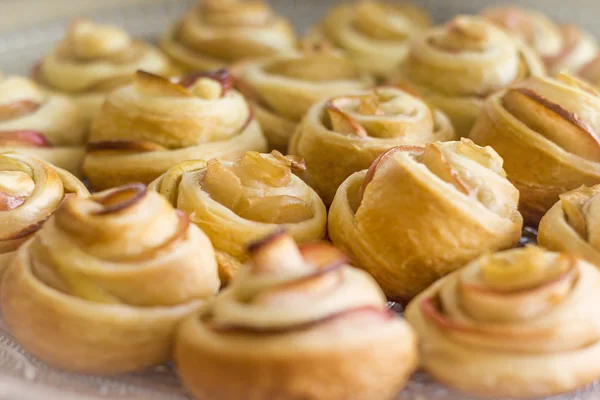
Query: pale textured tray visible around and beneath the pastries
column 22, row 377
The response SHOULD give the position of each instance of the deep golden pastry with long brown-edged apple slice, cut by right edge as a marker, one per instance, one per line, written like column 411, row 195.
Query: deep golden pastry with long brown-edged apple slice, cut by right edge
column 547, row 132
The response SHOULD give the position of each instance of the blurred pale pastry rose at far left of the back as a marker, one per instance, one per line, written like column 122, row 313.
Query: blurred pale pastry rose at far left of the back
column 92, row 60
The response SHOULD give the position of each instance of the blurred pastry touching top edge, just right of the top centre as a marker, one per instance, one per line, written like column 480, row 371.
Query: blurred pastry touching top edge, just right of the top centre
column 375, row 34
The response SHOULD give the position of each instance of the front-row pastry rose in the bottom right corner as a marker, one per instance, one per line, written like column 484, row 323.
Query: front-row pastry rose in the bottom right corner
column 520, row 323
